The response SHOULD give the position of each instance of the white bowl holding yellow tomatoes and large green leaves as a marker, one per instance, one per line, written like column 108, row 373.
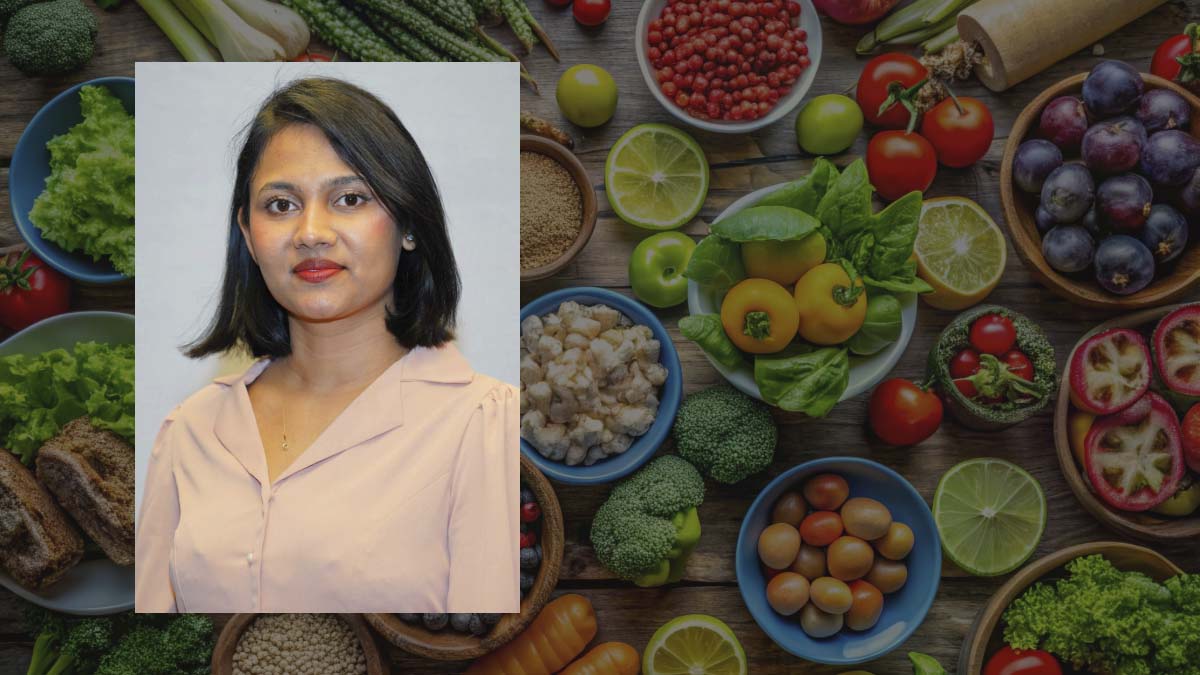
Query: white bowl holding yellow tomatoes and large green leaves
column 865, row 372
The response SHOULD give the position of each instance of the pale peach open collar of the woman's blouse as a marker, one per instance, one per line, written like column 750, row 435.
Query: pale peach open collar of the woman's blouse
column 376, row 411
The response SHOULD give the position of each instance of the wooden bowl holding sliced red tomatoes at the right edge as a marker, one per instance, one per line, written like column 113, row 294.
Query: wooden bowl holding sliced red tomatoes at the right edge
column 1144, row 525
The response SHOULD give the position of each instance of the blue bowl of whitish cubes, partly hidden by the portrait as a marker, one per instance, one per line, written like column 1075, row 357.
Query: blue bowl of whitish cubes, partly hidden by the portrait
column 625, row 464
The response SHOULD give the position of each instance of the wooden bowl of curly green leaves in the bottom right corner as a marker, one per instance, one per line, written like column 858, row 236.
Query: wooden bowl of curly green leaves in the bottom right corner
column 987, row 636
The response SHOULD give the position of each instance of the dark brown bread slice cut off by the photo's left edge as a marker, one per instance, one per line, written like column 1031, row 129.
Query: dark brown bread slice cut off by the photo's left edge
column 38, row 542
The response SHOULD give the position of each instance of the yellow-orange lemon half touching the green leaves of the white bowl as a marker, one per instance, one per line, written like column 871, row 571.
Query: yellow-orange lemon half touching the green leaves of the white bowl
column 961, row 253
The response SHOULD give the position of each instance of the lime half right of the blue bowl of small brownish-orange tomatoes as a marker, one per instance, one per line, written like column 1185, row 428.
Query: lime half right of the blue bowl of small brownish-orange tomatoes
column 991, row 515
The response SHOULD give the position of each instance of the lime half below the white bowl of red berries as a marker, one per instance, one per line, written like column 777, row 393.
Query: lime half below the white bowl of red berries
column 657, row 177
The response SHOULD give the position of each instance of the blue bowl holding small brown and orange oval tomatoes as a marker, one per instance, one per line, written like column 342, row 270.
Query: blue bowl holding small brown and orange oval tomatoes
column 903, row 611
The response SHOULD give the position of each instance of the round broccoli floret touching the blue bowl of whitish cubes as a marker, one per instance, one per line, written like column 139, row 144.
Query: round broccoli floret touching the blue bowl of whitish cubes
column 727, row 434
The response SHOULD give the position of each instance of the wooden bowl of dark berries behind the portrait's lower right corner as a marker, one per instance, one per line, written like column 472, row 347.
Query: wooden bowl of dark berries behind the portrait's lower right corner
column 451, row 646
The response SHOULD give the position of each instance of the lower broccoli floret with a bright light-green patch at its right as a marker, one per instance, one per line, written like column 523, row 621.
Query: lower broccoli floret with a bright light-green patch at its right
column 650, row 524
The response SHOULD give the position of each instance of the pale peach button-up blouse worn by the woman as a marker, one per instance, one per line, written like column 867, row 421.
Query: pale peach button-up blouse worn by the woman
column 407, row 503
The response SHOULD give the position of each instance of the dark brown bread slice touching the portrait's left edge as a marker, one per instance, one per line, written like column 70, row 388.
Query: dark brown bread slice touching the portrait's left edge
column 91, row 473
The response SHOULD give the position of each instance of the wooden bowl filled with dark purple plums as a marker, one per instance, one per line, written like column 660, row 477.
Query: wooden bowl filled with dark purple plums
column 1019, row 211
